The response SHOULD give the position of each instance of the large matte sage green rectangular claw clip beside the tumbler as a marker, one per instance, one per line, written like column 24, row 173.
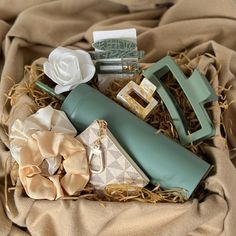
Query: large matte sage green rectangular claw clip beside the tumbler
column 197, row 90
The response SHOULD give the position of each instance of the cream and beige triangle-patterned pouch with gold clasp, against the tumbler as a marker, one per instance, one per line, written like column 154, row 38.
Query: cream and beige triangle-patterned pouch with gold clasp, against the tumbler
column 109, row 162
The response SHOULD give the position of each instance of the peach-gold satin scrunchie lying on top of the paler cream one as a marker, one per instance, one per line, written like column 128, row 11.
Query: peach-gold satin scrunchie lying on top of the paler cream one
column 70, row 173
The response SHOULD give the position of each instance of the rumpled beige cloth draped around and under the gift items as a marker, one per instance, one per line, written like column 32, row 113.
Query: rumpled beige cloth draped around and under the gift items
column 31, row 29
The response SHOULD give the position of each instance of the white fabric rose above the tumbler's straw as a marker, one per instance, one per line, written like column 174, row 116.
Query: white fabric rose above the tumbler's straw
column 68, row 68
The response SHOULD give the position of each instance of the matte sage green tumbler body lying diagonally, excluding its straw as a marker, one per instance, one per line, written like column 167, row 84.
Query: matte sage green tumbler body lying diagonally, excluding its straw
column 163, row 160
